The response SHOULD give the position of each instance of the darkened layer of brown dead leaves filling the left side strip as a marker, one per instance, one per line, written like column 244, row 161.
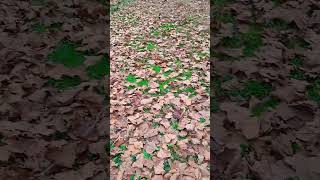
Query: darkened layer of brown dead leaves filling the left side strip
column 47, row 134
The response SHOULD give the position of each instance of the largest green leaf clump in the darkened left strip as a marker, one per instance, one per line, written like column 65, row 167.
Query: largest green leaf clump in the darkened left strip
column 65, row 53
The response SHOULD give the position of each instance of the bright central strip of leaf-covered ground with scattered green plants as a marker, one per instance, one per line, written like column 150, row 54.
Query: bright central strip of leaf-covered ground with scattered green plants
column 159, row 125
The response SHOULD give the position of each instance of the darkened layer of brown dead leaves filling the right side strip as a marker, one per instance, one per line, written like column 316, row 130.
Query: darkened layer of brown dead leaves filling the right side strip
column 282, row 143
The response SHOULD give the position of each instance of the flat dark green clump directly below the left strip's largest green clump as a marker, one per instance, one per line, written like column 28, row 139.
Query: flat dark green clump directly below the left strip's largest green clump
column 65, row 82
